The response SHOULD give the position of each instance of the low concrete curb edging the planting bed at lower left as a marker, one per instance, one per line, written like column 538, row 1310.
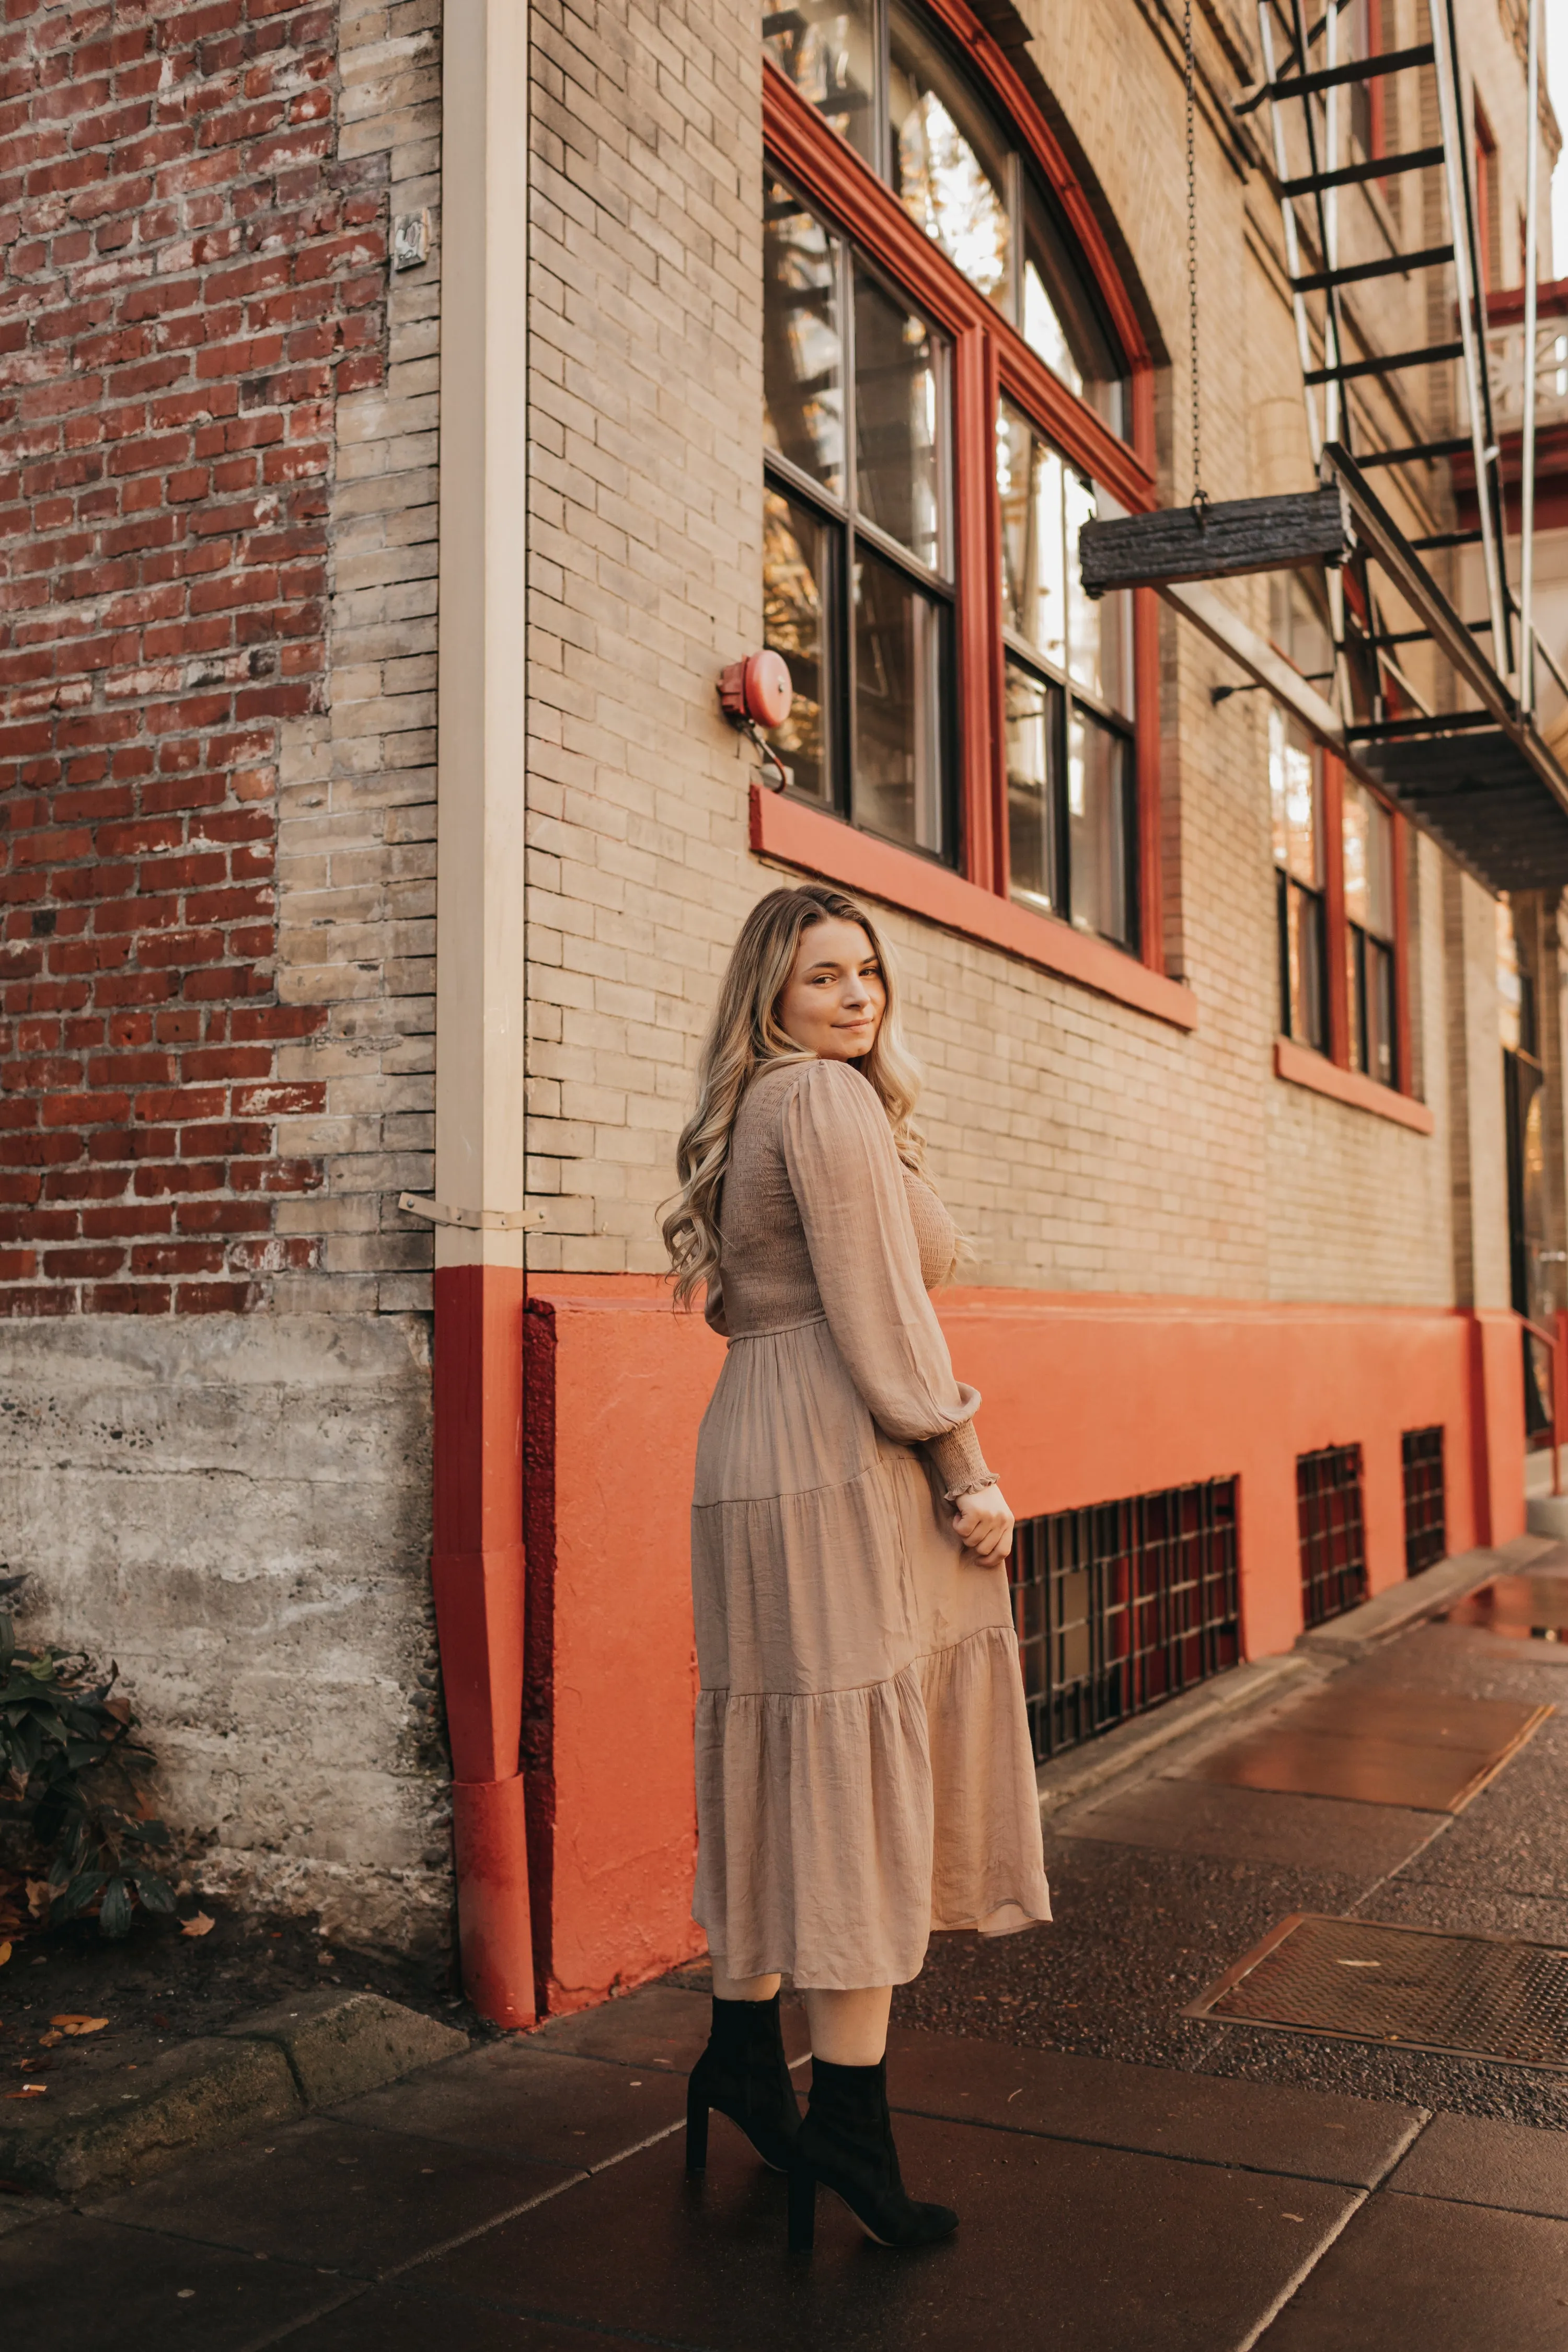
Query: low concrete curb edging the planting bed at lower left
column 267, row 2069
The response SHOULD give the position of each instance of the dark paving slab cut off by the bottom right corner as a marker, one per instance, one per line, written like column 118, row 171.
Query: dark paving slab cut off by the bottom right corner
column 1421, row 2276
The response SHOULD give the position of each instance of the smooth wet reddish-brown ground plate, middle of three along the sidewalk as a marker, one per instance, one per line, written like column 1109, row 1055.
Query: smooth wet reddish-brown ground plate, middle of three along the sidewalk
column 1407, row 1749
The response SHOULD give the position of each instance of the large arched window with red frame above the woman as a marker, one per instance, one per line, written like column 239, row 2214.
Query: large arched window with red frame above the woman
column 953, row 389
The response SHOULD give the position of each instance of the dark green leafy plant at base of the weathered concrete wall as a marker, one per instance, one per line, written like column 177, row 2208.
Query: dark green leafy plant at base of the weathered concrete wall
column 69, row 1782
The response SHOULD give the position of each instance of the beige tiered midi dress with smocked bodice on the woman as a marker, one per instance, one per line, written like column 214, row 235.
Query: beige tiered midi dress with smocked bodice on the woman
column 864, row 1763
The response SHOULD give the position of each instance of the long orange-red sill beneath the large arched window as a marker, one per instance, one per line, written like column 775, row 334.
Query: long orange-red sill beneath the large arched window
column 824, row 846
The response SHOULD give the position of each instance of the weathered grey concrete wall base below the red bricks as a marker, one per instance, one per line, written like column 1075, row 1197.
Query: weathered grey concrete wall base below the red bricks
column 239, row 1511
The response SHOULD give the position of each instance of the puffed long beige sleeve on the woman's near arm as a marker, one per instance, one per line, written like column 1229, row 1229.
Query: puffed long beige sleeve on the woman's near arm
column 852, row 1201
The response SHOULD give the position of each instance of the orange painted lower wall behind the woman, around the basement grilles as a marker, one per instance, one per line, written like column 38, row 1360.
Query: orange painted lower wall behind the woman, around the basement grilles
column 1085, row 1398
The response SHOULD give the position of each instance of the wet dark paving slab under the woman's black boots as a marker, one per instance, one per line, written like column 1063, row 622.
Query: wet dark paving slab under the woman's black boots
column 1087, row 2250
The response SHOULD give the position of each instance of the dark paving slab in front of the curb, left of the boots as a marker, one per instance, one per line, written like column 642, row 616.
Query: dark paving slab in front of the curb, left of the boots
column 354, row 2203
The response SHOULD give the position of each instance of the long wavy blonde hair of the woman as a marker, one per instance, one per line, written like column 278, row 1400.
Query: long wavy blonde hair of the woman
column 746, row 1038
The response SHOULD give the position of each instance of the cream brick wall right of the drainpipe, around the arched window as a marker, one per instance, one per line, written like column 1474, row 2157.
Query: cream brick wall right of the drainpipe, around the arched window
column 1083, row 1144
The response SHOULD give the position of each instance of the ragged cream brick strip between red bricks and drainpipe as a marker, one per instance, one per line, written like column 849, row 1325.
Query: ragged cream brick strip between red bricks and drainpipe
column 356, row 867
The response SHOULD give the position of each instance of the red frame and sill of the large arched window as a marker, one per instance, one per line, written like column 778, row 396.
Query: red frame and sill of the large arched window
column 991, row 359
